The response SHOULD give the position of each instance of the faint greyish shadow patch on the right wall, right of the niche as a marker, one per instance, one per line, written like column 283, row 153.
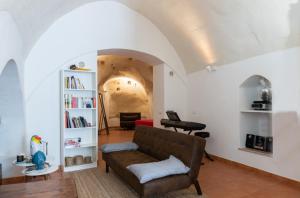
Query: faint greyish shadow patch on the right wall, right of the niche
column 286, row 149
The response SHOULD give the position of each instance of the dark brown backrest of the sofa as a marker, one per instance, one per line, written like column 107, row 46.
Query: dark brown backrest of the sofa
column 161, row 143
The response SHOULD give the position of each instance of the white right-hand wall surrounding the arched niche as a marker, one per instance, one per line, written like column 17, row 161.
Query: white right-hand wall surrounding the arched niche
column 214, row 99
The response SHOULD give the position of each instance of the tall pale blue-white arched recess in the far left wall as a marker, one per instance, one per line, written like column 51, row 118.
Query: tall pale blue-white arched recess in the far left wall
column 12, row 127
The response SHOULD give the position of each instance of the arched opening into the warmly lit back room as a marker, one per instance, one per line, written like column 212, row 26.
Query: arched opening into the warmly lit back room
column 134, row 66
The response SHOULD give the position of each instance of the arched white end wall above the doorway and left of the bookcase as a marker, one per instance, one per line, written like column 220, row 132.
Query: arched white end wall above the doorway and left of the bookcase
column 92, row 27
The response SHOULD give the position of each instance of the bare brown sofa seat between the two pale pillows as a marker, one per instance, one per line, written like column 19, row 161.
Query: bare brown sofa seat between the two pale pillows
column 126, row 158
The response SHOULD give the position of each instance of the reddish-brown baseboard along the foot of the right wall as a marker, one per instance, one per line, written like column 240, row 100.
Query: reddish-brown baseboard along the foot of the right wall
column 259, row 171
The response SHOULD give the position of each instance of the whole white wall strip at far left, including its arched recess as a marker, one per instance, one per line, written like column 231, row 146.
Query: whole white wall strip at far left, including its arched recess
column 12, row 125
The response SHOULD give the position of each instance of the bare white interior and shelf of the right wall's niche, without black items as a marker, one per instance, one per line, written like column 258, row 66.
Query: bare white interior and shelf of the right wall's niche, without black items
column 257, row 122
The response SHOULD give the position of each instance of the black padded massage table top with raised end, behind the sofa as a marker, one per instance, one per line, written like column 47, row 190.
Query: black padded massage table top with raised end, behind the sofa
column 175, row 122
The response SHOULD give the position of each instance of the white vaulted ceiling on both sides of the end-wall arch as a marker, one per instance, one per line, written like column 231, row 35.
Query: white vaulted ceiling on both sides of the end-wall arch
column 203, row 32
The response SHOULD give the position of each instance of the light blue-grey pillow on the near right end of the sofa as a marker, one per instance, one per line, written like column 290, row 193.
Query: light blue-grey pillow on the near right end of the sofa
column 148, row 171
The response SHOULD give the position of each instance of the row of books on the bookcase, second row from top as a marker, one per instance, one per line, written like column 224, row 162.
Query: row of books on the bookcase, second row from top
column 79, row 102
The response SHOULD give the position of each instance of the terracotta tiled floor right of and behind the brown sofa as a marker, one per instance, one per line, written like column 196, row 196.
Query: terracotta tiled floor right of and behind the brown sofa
column 221, row 180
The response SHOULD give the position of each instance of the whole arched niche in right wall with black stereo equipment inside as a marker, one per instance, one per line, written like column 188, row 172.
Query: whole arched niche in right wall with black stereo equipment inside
column 255, row 121
